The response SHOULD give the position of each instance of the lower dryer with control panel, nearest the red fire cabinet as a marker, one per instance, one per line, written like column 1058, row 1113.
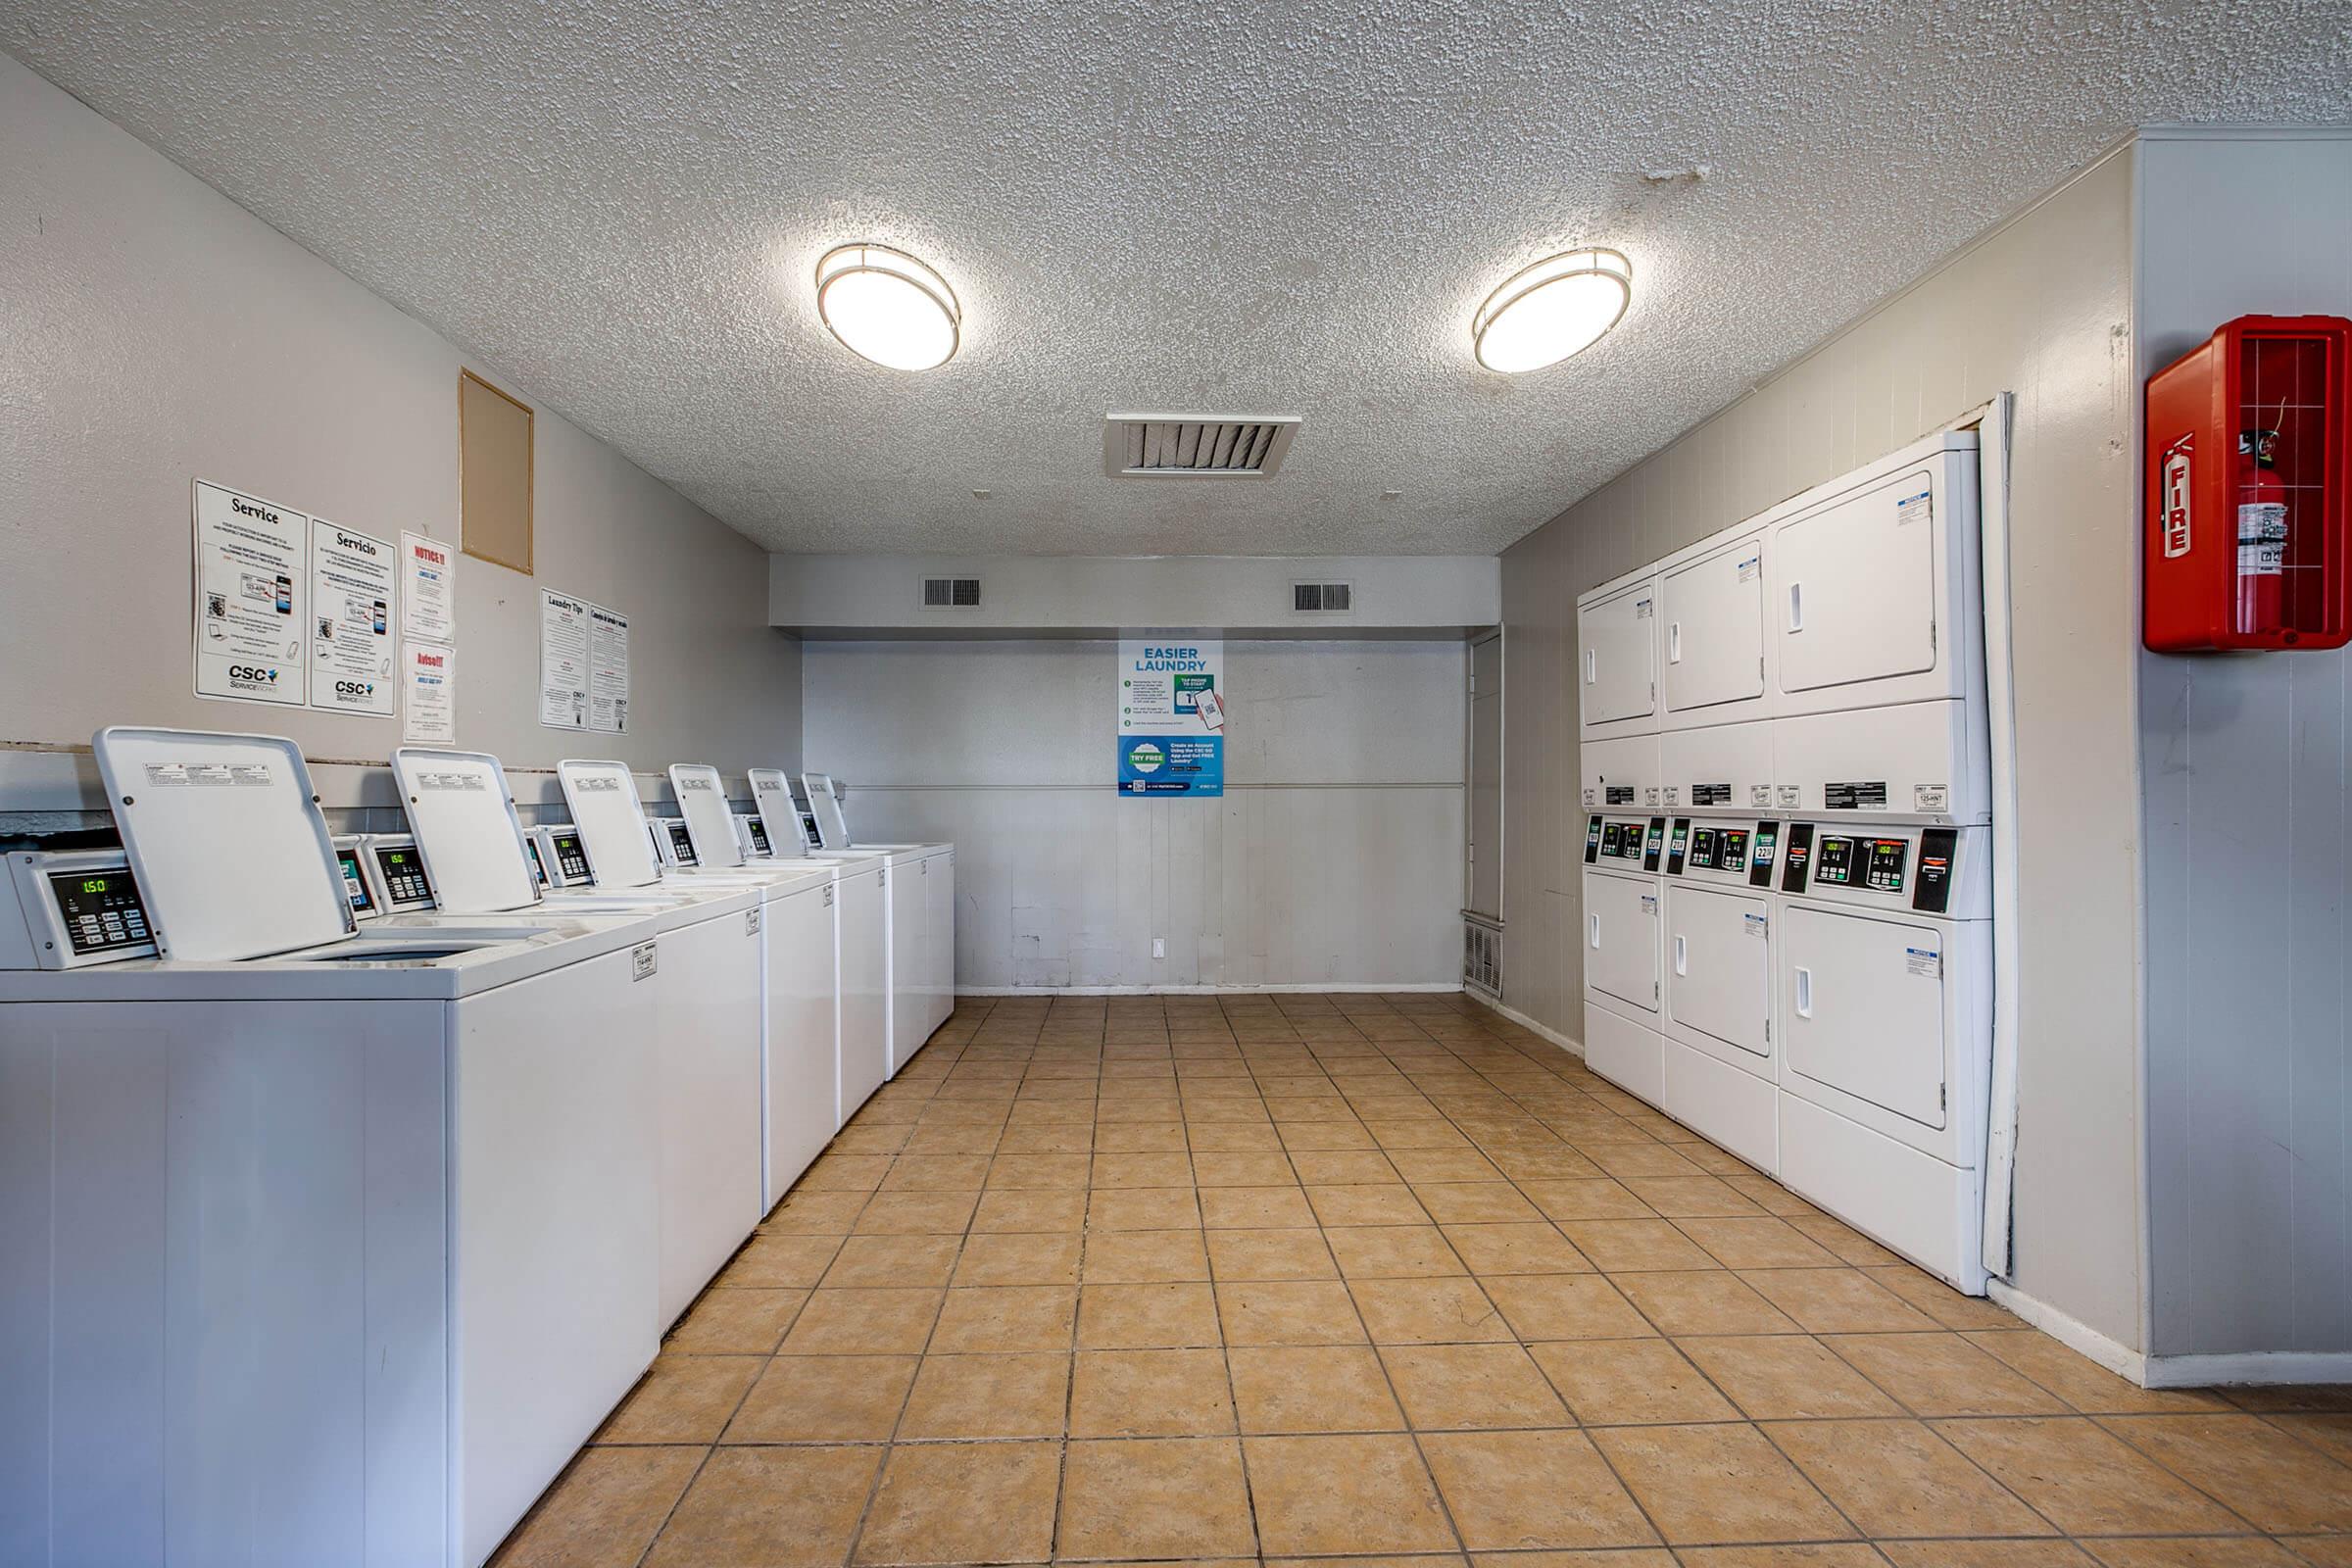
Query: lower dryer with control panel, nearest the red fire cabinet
column 1885, row 1024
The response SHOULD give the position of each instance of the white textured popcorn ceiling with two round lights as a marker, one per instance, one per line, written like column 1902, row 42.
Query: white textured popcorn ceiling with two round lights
column 1208, row 208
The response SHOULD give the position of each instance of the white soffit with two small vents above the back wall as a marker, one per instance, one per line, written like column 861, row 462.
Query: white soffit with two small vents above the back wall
column 1102, row 594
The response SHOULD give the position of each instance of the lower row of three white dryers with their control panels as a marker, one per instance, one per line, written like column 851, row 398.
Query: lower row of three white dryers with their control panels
column 1810, row 996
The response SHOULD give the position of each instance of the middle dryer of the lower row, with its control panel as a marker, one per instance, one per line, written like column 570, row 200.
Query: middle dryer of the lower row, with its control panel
column 1720, row 1054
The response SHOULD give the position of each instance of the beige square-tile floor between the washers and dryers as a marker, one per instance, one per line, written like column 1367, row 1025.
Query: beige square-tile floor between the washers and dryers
column 1375, row 1278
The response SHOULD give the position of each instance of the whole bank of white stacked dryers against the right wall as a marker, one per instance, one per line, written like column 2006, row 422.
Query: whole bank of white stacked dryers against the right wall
column 1800, row 706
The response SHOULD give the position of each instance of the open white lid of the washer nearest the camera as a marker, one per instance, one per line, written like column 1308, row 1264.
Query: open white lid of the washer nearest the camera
column 227, row 843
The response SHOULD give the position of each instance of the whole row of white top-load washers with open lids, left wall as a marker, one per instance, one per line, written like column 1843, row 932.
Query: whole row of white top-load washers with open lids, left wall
column 347, row 1184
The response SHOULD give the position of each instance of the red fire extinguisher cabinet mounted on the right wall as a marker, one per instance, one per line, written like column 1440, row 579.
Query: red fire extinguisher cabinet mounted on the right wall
column 2247, row 509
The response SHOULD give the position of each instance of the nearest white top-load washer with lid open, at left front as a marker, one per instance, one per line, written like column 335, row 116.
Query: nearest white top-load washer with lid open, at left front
column 323, row 1245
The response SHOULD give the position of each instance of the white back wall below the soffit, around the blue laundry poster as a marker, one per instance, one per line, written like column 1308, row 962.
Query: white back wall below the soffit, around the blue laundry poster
column 1335, row 857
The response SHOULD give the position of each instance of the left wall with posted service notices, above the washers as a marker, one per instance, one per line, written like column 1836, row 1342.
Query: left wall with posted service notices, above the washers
column 154, row 333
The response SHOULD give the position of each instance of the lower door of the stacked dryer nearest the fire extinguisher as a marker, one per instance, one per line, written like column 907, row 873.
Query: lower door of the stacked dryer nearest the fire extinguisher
column 1864, row 1007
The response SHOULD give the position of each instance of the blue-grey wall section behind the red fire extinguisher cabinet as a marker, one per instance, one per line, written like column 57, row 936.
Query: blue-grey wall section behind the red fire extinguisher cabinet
column 2247, row 765
